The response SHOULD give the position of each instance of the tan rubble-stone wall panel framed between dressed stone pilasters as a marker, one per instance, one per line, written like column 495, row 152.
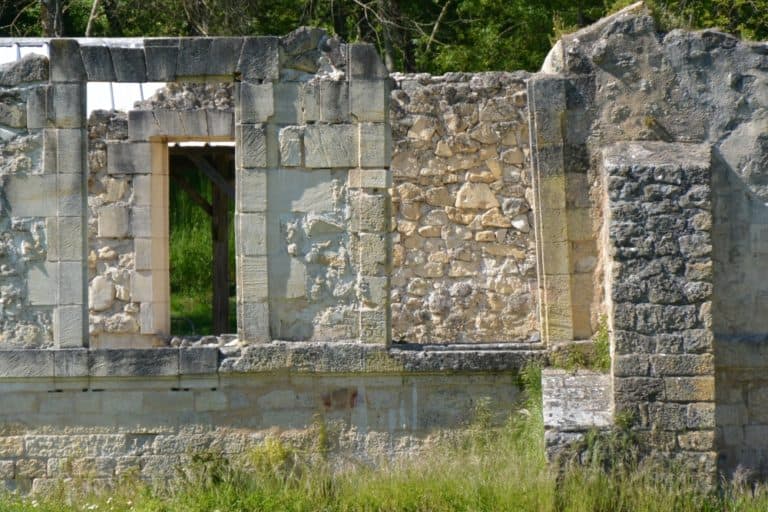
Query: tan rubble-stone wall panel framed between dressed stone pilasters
column 463, row 250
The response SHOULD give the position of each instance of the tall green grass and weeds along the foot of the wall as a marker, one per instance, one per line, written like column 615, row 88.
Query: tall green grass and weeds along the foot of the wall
column 483, row 468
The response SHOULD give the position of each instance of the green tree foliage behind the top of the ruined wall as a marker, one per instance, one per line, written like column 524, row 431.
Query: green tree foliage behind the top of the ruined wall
column 413, row 35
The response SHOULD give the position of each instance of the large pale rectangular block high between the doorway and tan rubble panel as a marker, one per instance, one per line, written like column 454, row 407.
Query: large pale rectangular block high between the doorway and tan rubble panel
column 328, row 146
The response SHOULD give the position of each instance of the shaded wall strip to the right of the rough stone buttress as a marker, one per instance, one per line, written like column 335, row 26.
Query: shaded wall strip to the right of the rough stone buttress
column 740, row 319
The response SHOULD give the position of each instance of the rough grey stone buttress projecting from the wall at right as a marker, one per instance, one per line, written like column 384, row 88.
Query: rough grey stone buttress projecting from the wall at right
column 658, row 204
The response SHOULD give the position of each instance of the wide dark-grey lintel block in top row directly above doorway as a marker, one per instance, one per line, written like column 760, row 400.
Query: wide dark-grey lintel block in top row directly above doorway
column 210, row 56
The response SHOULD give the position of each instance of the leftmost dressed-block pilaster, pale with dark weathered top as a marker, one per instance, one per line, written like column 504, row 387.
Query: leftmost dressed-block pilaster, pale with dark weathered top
column 65, row 140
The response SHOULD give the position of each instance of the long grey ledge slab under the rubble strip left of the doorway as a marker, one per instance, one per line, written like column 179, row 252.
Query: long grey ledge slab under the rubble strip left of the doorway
column 133, row 362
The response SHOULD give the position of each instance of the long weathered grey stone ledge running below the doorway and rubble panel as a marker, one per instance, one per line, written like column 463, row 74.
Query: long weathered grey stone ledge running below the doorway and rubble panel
column 294, row 357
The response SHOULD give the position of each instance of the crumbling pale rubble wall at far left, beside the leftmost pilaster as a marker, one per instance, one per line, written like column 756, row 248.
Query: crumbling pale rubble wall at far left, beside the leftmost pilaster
column 27, row 210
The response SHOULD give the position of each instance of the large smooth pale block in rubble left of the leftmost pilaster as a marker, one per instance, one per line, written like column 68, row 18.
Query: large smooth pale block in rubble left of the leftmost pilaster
column 31, row 195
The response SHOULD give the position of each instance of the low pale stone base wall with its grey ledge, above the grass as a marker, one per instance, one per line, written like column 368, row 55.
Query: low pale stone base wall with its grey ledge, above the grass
column 101, row 414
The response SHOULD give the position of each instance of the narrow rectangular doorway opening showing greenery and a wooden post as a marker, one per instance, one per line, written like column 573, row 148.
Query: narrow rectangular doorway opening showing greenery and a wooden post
column 201, row 239
